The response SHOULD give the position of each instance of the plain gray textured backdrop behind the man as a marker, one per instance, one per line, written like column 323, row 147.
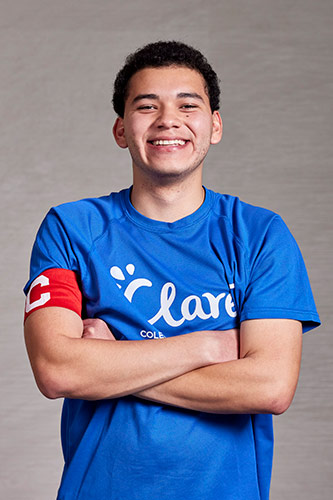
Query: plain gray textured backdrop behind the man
column 58, row 63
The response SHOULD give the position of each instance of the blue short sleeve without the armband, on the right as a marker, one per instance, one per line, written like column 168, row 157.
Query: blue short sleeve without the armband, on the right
column 278, row 284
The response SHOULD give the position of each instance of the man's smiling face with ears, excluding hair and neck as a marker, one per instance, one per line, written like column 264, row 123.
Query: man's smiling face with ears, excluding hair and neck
column 168, row 125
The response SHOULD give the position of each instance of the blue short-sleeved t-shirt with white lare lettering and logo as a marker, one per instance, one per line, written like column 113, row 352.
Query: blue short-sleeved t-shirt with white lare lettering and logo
column 225, row 263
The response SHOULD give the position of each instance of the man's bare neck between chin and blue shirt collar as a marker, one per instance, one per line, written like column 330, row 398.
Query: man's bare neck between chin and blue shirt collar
column 167, row 203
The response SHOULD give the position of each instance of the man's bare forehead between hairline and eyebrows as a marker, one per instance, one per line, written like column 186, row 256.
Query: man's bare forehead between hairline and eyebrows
column 167, row 80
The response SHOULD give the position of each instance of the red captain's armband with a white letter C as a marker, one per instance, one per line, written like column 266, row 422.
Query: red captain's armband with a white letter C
column 54, row 287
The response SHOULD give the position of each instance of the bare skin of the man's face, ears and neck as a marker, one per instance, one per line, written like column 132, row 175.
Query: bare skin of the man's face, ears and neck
column 167, row 103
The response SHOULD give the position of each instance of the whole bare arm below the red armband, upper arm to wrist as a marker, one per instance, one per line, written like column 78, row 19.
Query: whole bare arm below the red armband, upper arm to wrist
column 75, row 367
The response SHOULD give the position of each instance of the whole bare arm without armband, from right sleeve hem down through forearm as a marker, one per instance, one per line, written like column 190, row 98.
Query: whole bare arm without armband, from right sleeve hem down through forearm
column 263, row 380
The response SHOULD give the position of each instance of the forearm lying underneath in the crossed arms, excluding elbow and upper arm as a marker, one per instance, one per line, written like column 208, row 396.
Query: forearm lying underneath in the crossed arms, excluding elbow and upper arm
column 231, row 387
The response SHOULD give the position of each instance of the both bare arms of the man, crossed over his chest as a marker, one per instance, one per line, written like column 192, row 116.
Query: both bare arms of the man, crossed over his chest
column 254, row 370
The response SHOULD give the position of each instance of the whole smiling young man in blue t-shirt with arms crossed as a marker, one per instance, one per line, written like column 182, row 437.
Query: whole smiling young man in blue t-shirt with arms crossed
column 205, row 298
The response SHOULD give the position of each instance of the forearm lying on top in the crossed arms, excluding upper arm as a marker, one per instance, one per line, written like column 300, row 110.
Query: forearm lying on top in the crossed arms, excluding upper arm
column 99, row 369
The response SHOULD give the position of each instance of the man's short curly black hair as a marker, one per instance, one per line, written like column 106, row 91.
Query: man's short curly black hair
column 159, row 54
